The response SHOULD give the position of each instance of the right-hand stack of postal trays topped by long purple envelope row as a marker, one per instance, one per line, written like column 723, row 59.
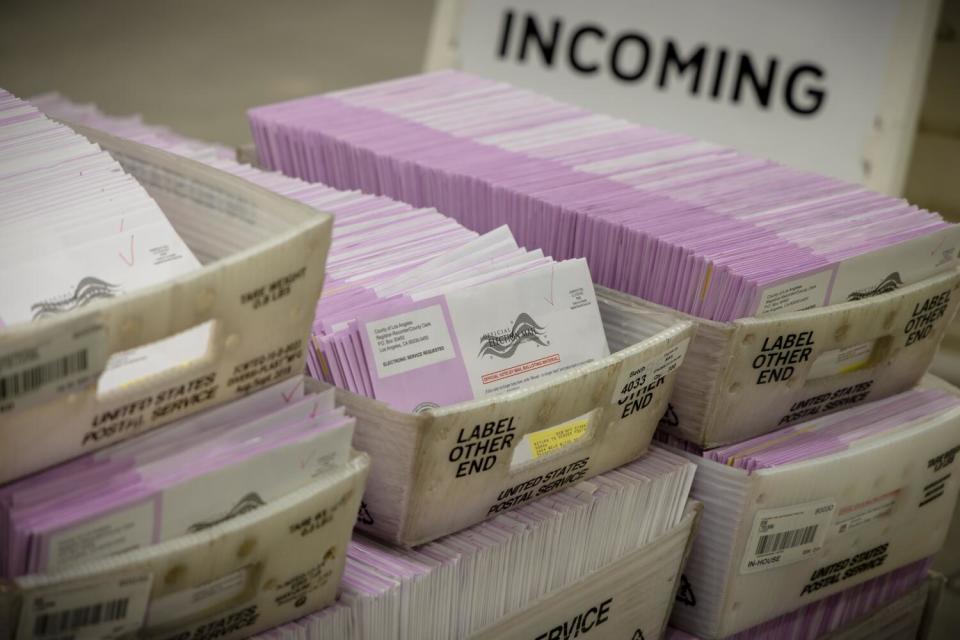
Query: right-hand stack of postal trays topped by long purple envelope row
column 818, row 307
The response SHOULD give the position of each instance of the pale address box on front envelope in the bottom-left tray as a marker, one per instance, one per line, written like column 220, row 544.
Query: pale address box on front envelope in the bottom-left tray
column 117, row 532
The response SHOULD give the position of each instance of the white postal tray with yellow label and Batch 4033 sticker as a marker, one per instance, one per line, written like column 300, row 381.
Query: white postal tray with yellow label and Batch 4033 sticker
column 425, row 483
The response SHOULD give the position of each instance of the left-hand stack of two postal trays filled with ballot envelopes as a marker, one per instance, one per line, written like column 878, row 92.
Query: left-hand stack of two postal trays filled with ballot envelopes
column 149, row 486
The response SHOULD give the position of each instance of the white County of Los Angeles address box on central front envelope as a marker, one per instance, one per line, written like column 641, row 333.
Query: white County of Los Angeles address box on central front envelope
column 409, row 341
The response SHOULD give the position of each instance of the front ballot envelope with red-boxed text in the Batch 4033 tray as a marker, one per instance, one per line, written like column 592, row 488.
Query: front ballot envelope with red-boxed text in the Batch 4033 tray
column 483, row 340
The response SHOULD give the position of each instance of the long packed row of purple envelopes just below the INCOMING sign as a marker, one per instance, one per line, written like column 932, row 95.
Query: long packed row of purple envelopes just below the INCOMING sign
column 690, row 225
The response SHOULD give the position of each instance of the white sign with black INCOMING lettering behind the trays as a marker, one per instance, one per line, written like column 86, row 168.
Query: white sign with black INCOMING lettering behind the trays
column 798, row 82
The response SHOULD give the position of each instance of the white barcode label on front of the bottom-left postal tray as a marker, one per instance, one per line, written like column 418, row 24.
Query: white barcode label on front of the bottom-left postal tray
column 102, row 609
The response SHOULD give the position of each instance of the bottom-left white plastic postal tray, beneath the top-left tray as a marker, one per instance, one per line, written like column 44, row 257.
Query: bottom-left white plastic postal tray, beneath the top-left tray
column 253, row 572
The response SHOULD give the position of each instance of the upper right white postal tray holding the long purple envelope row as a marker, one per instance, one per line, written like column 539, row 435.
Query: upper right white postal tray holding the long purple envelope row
column 755, row 375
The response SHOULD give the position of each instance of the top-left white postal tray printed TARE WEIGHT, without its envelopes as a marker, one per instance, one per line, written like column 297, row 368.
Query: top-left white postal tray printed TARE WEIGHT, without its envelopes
column 260, row 295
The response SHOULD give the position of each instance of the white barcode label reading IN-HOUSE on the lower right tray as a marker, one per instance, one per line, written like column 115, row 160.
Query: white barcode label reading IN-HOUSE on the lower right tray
column 786, row 535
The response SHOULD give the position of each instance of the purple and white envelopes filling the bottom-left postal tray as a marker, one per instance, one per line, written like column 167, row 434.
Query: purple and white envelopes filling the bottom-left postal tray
column 205, row 469
